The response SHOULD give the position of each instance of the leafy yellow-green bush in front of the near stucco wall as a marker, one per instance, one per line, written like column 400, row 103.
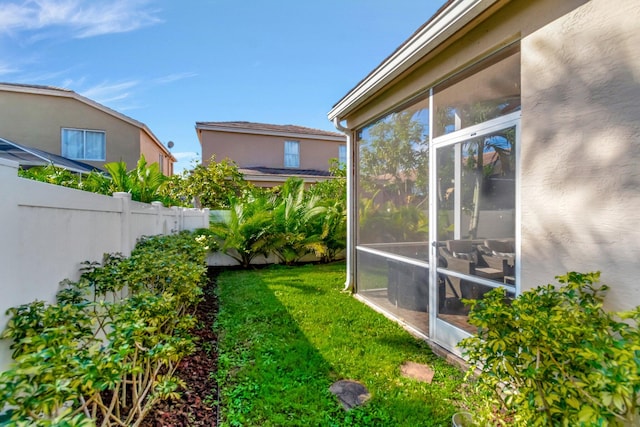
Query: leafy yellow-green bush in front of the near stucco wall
column 556, row 357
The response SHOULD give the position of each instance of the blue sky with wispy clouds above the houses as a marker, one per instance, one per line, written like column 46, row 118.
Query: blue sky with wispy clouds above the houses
column 170, row 63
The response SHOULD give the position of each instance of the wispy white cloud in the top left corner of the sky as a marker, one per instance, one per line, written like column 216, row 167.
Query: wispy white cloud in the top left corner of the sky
column 84, row 18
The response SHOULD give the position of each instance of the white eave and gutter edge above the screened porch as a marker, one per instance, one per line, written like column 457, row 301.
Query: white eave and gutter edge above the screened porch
column 446, row 22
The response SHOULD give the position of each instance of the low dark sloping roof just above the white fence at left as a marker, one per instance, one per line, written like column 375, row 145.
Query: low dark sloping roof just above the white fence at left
column 28, row 157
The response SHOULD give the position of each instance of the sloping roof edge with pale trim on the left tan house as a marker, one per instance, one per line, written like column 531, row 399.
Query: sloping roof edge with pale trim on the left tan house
column 68, row 93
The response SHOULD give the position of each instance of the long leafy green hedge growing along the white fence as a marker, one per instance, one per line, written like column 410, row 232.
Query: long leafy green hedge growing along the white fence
column 97, row 357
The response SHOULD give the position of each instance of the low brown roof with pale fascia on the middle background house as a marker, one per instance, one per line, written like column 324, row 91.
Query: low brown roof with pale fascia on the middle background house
column 269, row 129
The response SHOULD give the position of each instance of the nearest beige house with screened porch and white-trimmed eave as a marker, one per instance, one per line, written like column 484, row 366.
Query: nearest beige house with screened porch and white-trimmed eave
column 508, row 133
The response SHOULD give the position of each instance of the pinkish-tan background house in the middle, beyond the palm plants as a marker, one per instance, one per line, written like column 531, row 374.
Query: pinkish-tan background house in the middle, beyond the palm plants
column 268, row 154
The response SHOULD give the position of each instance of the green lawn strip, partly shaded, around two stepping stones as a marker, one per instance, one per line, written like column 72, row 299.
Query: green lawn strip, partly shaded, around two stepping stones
column 287, row 333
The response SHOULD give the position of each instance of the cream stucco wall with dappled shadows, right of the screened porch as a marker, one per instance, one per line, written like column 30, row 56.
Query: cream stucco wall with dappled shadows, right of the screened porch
column 581, row 147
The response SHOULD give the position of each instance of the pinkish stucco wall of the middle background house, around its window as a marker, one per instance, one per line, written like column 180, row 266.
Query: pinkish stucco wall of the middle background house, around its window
column 266, row 150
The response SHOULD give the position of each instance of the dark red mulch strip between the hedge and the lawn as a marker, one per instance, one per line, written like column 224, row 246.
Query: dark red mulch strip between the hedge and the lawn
column 197, row 404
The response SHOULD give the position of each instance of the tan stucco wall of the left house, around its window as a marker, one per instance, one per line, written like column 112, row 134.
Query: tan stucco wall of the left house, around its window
column 36, row 120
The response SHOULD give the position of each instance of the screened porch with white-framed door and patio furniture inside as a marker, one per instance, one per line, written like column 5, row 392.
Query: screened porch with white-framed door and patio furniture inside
column 441, row 168
